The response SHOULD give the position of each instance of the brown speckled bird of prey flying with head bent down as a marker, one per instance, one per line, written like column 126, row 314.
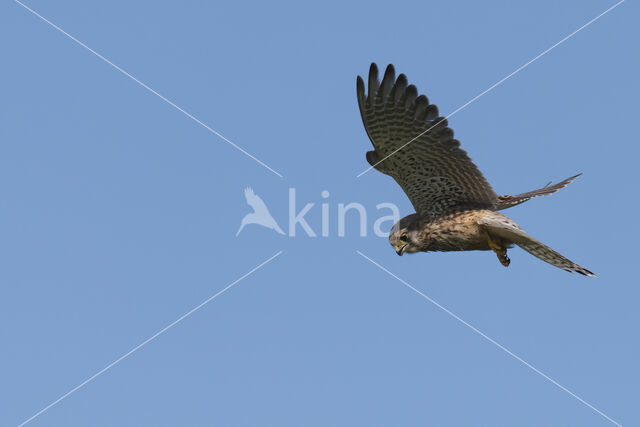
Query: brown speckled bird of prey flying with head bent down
column 456, row 208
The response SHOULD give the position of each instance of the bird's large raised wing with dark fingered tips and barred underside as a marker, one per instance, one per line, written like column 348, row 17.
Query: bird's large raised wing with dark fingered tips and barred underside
column 432, row 169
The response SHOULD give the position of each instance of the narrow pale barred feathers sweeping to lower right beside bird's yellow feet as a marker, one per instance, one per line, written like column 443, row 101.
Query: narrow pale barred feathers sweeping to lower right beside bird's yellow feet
column 508, row 230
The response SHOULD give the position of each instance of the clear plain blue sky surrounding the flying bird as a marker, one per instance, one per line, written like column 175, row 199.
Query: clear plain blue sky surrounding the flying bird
column 119, row 213
